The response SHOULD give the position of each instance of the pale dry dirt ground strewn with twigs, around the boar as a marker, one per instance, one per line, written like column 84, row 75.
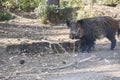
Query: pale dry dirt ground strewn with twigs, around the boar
column 100, row 64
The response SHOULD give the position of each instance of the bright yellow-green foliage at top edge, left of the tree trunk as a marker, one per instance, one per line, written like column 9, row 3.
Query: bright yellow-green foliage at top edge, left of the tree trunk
column 25, row 5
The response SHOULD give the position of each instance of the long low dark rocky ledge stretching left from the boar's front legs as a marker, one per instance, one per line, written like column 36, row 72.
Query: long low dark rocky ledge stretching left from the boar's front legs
column 43, row 48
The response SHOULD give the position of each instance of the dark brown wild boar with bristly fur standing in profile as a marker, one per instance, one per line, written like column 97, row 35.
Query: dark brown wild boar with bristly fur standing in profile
column 90, row 29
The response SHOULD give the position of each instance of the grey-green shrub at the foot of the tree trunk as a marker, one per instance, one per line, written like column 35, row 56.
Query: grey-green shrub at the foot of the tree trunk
column 53, row 13
